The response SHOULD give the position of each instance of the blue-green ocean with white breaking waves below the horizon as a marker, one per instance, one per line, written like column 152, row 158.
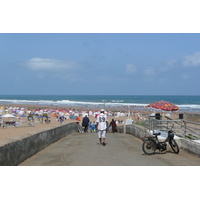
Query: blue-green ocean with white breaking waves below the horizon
column 185, row 103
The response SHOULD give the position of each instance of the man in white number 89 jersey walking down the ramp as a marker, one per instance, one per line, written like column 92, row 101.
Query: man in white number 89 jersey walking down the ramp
column 101, row 126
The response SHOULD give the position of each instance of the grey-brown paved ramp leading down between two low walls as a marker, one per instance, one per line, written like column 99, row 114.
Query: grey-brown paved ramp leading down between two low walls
column 82, row 149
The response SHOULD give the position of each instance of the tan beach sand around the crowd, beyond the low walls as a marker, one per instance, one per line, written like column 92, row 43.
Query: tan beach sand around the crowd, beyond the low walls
column 12, row 131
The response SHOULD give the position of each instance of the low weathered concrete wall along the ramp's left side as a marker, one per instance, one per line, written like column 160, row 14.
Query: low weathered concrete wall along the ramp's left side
column 23, row 147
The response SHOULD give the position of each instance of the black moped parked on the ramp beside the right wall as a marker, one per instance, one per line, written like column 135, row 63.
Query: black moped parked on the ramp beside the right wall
column 152, row 143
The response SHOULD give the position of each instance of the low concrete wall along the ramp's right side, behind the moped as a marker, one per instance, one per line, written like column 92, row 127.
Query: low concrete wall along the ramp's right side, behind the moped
column 140, row 132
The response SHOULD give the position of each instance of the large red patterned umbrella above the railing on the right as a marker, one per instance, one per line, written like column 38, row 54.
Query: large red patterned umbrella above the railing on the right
column 163, row 105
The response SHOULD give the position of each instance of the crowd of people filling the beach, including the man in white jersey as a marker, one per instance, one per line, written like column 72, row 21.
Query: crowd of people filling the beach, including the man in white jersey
column 94, row 121
